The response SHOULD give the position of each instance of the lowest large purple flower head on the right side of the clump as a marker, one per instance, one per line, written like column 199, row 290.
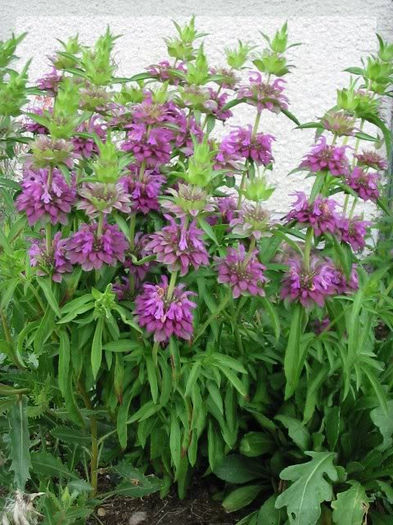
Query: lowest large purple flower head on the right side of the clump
column 309, row 286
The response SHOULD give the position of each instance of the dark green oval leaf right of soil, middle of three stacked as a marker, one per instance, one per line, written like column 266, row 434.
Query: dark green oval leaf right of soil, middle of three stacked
column 238, row 469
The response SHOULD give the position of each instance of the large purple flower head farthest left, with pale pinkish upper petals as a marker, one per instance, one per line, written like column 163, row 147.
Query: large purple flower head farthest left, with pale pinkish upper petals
column 45, row 198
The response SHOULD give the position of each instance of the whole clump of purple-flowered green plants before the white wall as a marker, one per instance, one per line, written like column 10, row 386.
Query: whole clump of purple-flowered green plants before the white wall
column 157, row 323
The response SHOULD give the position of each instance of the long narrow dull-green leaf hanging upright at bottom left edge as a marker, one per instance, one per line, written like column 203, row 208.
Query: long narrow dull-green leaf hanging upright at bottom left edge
column 19, row 443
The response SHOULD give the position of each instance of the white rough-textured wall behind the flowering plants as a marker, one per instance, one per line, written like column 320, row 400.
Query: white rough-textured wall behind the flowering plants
column 334, row 35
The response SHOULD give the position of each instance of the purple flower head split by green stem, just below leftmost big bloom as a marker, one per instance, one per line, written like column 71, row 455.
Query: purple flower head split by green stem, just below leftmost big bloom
column 53, row 263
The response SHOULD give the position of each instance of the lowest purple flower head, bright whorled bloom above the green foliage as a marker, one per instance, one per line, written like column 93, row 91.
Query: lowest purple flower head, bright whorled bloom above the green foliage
column 165, row 316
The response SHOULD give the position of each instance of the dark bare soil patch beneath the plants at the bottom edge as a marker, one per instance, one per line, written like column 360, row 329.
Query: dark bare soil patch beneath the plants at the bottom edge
column 197, row 509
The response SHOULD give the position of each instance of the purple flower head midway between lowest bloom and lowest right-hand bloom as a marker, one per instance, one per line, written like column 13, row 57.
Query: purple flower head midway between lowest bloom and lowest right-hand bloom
column 243, row 272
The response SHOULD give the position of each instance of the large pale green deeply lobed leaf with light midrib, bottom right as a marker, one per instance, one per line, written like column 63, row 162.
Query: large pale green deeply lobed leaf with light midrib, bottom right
column 309, row 488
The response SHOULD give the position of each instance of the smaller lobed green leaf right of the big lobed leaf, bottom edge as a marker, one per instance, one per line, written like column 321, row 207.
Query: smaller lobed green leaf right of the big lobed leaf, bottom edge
column 350, row 506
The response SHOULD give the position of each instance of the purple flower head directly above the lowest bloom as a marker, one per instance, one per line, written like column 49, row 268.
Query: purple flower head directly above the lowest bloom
column 179, row 246
